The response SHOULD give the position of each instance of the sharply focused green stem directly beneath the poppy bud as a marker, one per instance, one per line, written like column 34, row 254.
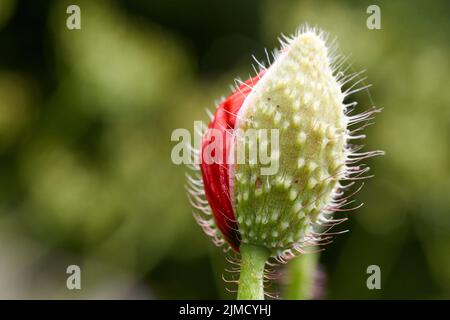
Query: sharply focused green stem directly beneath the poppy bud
column 253, row 260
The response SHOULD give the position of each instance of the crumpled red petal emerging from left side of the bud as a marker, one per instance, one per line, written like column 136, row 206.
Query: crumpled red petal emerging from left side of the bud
column 215, row 175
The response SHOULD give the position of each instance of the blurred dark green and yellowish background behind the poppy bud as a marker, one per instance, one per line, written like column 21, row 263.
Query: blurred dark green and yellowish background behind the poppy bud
column 85, row 122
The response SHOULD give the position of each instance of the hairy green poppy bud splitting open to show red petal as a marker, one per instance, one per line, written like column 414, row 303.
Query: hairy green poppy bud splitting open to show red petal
column 301, row 96
